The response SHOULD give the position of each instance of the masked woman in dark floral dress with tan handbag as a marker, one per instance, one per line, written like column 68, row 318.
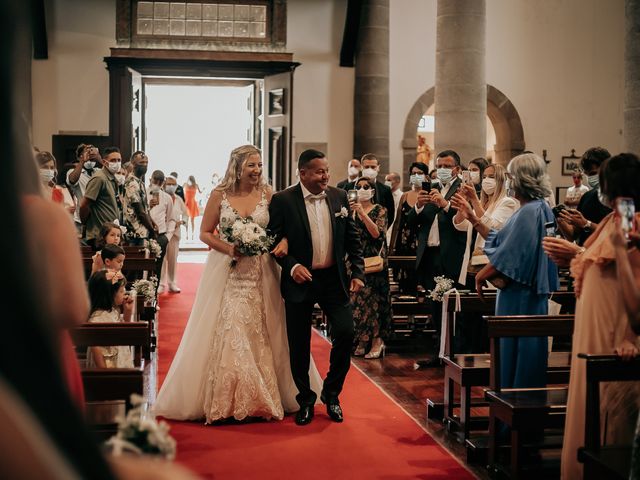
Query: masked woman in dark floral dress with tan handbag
column 372, row 303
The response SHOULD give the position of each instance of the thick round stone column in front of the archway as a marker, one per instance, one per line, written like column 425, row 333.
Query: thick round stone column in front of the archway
column 461, row 90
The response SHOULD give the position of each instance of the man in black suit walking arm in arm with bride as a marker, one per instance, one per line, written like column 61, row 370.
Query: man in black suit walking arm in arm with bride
column 315, row 220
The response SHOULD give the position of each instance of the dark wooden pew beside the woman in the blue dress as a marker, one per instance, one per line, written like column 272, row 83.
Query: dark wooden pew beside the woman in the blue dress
column 524, row 410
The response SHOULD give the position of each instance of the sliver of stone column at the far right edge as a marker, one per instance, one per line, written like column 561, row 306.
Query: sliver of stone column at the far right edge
column 632, row 77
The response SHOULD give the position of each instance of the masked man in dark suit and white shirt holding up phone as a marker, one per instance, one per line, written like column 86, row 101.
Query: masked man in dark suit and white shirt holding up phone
column 441, row 247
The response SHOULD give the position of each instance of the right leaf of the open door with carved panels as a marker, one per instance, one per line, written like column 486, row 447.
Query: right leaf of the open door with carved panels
column 276, row 129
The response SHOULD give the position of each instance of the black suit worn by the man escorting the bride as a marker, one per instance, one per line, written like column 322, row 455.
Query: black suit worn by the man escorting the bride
column 329, row 287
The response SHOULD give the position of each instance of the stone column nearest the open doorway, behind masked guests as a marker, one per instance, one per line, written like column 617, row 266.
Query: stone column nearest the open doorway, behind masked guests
column 371, row 93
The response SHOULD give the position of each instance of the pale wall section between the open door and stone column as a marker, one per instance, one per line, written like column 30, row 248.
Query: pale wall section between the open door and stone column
column 323, row 91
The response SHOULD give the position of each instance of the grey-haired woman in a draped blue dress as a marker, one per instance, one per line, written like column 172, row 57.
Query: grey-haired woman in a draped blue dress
column 521, row 270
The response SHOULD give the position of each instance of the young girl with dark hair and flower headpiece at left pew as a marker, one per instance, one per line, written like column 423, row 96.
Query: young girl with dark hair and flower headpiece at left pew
column 107, row 294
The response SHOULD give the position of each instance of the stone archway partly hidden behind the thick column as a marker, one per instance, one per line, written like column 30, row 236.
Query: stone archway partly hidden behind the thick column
column 501, row 112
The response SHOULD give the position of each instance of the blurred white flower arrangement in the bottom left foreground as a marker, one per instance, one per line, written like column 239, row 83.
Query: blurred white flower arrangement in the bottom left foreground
column 140, row 433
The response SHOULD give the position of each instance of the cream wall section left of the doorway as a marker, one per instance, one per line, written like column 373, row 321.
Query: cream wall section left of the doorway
column 71, row 89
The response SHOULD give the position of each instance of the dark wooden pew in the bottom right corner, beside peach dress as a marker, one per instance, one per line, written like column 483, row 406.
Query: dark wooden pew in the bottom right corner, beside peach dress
column 610, row 461
